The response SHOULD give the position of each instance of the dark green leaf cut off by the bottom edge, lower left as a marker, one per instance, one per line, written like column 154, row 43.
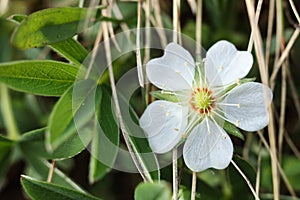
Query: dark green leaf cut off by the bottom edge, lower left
column 44, row 190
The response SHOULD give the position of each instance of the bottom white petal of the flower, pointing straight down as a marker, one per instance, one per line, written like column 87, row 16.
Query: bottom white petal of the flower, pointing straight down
column 207, row 146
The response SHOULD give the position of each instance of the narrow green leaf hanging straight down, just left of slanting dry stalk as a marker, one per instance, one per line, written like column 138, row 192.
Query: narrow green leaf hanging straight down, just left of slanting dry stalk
column 105, row 144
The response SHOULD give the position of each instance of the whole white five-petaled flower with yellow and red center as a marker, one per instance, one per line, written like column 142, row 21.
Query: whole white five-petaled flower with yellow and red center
column 205, row 98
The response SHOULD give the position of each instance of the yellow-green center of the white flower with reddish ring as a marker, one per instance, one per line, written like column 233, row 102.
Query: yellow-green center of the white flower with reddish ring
column 202, row 100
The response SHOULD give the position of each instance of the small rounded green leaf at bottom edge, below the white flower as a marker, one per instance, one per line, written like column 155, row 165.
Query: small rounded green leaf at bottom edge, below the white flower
column 152, row 191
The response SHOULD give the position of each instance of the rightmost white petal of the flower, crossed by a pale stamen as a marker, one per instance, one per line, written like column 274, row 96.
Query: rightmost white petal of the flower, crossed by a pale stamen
column 252, row 98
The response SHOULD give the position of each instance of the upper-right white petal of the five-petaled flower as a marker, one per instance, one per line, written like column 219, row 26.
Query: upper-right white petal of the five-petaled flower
column 229, row 63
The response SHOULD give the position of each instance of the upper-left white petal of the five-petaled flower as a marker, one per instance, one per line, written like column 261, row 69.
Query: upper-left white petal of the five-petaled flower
column 174, row 70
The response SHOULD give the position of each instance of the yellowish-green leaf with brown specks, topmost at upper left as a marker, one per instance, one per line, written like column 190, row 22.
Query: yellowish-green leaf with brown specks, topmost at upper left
column 51, row 25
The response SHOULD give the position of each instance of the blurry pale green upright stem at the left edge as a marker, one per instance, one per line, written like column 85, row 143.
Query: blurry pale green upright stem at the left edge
column 8, row 115
